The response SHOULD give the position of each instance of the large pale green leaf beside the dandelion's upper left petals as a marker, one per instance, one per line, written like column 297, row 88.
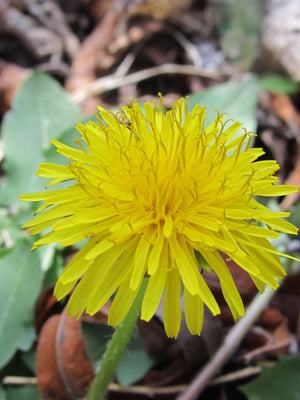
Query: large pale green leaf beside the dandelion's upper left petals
column 41, row 111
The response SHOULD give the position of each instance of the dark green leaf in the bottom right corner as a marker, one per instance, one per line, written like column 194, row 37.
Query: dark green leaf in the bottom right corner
column 278, row 382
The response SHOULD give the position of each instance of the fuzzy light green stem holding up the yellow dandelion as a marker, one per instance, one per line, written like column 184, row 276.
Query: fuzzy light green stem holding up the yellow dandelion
column 115, row 349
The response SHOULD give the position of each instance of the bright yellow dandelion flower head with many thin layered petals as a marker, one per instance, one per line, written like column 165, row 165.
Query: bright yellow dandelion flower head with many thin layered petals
column 154, row 192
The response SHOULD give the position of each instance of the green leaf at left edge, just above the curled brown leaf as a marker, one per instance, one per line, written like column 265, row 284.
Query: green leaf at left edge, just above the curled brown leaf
column 20, row 284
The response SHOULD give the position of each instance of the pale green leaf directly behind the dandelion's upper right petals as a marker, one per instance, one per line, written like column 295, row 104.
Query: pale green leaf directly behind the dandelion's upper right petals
column 239, row 100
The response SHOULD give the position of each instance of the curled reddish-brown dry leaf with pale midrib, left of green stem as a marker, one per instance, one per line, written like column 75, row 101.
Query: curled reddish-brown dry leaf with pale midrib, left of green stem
column 63, row 370
